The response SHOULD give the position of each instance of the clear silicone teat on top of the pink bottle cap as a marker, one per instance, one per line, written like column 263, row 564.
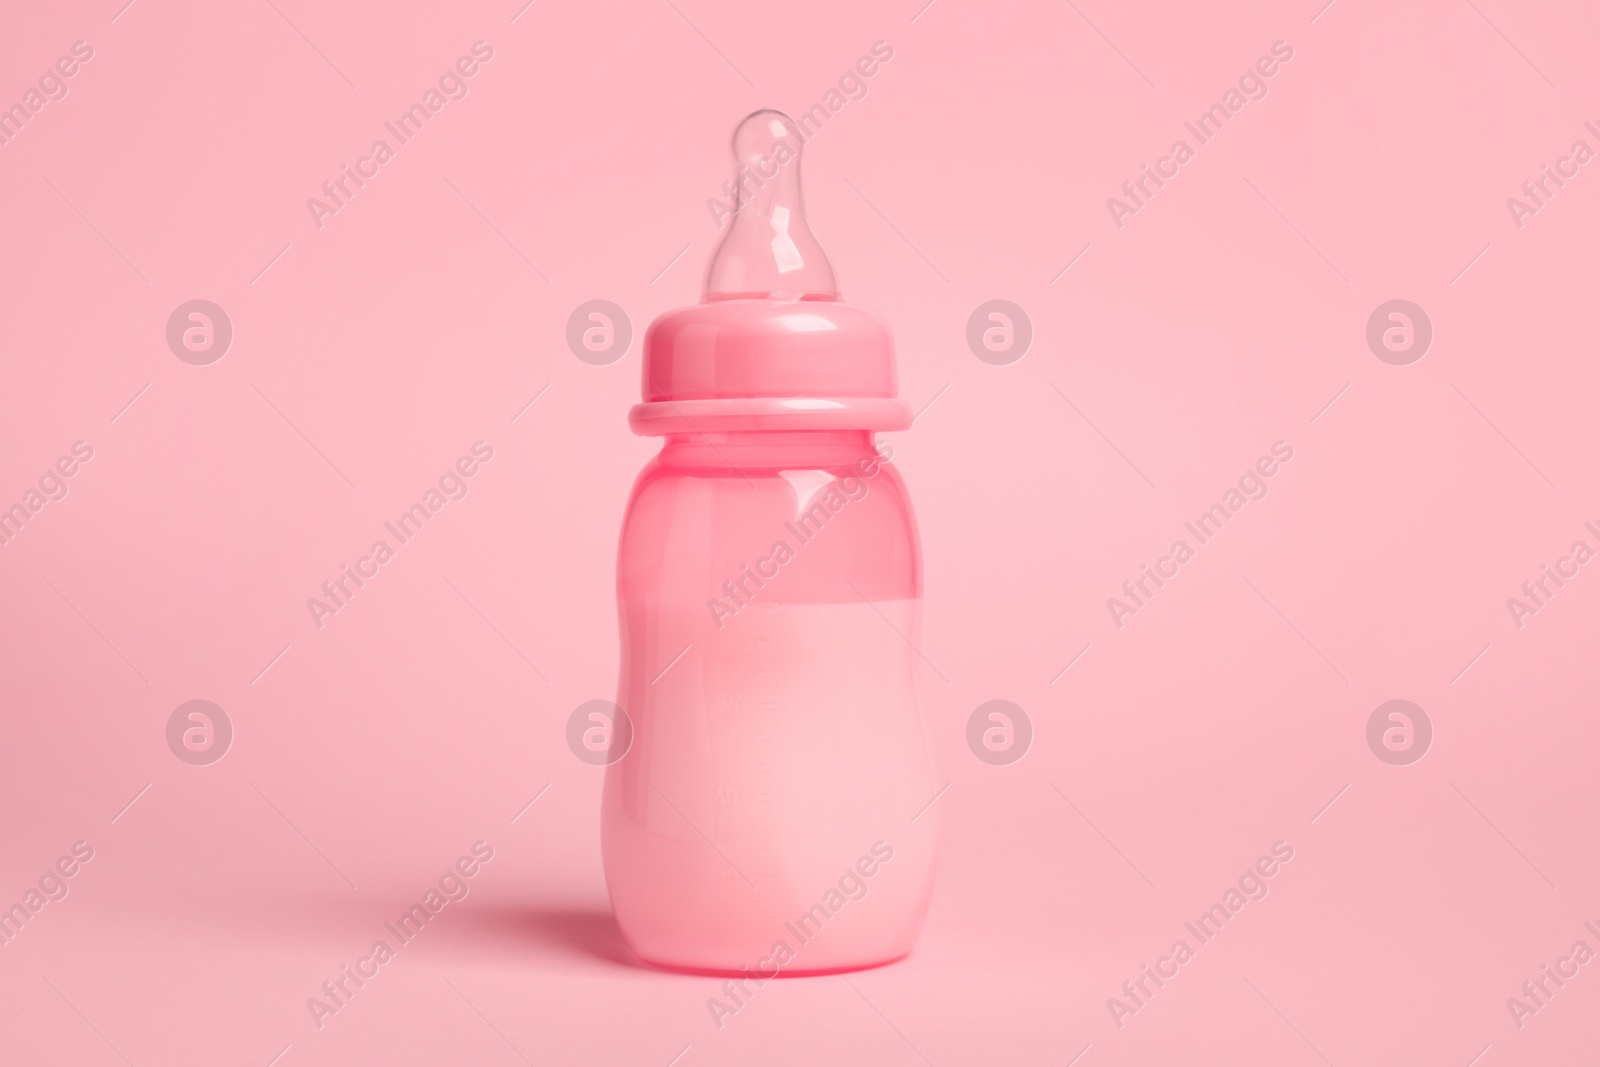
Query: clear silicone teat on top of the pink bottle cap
column 769, row 250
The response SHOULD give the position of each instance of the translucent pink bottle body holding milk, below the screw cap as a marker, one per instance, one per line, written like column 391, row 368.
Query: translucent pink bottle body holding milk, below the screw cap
column 761, row 823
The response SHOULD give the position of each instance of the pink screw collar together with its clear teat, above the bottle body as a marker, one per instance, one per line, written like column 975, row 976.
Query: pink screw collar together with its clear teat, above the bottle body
column 770, row 346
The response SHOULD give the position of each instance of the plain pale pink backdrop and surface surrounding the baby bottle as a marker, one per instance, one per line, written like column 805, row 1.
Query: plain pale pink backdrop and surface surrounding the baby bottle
column 1220, row 319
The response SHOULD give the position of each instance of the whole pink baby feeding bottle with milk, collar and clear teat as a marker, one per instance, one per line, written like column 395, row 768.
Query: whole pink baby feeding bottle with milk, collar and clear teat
column 769, row 817
